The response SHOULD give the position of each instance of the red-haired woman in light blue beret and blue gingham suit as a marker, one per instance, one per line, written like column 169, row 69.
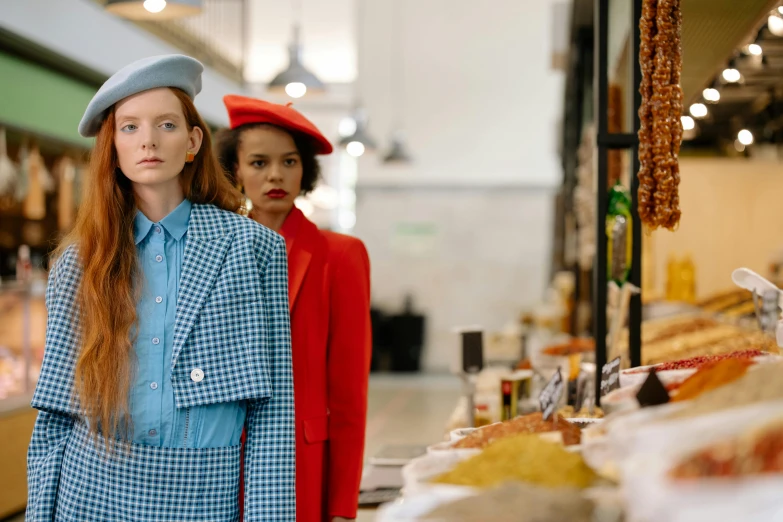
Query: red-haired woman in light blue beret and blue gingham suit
column 168, row 329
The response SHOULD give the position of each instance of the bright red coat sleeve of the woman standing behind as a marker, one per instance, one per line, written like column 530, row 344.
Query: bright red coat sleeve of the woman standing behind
column 350, row 348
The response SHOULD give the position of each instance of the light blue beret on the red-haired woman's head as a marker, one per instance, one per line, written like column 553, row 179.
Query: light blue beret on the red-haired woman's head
column 169, row 70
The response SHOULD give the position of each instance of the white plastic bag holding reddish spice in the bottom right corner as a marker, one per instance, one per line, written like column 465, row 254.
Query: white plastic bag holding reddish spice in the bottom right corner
column 651, row 451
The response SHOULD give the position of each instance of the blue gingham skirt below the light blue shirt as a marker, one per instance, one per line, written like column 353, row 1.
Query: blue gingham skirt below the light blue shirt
column 146, row 483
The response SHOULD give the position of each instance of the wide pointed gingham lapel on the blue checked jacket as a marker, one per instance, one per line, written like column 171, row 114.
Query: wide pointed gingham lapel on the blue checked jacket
column 205, row 249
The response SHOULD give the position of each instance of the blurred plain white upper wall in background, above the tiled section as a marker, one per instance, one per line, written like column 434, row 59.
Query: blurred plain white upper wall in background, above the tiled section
column 480, row 103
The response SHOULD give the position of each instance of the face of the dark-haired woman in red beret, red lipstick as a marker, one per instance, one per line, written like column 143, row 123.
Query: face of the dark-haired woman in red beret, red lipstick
column 270, row 169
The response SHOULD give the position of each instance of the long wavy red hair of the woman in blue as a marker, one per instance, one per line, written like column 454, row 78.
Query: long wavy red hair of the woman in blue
column 109, row 288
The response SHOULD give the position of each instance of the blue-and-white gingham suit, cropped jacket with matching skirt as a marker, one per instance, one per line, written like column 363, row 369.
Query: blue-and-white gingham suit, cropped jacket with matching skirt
column 233, row 324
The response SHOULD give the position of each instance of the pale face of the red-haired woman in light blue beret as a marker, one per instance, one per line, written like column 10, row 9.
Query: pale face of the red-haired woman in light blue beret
column 152, row 138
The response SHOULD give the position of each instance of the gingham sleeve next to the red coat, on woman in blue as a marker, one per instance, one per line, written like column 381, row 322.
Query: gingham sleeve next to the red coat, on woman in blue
column 270, row 449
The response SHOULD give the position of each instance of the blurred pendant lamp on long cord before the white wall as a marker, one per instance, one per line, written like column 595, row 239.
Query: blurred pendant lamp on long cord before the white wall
column 398, row 153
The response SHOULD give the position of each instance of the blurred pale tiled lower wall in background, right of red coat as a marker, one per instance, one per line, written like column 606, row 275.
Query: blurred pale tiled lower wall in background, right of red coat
column 467, row 255
